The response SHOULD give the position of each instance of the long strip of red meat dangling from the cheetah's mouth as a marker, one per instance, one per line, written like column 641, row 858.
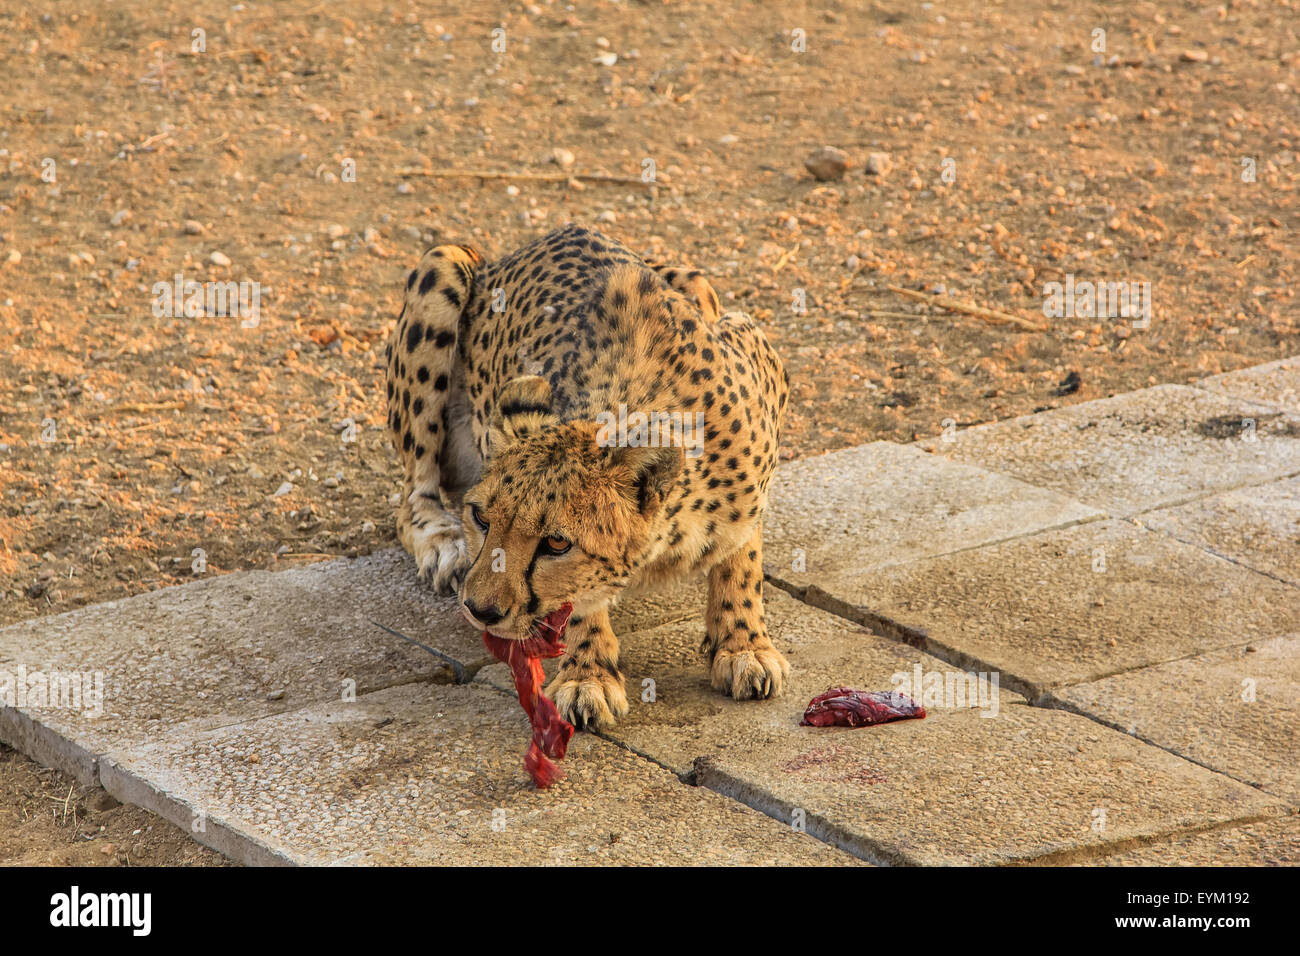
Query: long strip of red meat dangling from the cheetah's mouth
column 552, row 733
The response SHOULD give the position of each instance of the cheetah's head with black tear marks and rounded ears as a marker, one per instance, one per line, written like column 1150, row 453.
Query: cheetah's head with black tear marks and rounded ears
column 556, row 517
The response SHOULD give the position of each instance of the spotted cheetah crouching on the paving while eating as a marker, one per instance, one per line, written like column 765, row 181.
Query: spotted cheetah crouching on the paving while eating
column 523, row 401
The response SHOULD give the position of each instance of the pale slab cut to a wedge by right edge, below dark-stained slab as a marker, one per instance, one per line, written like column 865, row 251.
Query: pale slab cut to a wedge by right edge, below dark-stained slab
column 1256, row 526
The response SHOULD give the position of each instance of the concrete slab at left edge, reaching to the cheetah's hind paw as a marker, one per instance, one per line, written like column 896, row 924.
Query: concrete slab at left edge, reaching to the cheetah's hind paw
column 222, row 651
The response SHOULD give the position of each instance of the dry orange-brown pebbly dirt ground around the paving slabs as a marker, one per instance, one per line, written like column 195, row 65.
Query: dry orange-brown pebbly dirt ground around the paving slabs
column 994, row 148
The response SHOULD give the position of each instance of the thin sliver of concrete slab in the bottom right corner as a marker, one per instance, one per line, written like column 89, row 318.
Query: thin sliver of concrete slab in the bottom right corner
column 1268, row 843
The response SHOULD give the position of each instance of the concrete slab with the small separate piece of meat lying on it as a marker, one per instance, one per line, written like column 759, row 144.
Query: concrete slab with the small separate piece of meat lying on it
column 956, row 788
